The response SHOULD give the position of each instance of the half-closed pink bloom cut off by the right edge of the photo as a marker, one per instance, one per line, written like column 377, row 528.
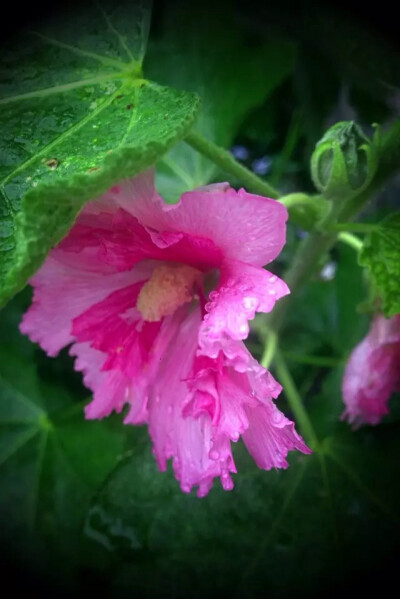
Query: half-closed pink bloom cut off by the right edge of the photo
column 372, row 372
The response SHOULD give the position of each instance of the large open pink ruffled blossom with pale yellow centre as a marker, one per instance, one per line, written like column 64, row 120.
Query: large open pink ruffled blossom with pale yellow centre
column 155, row 301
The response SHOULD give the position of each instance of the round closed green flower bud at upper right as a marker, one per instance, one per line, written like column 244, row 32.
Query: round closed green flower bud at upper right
column 344, row 161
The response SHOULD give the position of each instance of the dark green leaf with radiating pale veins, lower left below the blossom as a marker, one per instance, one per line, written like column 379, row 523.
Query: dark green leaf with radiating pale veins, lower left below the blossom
column 51, row 462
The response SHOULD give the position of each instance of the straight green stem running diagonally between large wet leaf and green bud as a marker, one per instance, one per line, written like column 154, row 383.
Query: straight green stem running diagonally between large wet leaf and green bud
column 226, row 162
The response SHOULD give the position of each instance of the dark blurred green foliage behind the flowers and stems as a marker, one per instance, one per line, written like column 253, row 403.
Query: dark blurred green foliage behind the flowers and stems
column 83, row 507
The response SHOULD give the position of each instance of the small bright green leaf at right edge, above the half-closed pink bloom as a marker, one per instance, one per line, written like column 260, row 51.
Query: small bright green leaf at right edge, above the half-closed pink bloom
column 381, row 256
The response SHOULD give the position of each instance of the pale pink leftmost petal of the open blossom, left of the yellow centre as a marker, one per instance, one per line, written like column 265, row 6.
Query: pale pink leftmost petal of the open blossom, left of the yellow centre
column 62, row 292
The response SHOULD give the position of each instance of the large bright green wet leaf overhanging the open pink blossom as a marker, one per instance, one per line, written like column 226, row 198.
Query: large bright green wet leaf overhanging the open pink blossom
column 76, row 116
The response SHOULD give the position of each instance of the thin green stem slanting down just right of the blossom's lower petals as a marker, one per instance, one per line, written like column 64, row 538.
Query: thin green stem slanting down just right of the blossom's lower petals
column 294, row 400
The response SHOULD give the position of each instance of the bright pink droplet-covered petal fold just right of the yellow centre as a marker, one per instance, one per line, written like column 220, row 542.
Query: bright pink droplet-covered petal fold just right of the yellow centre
column 242, row 291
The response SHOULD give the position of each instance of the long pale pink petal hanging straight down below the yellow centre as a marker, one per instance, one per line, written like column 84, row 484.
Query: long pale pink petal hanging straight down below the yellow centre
column 187, row 439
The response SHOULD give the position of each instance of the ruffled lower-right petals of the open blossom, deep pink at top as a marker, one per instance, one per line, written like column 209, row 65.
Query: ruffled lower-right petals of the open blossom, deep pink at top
column 240, row 404
